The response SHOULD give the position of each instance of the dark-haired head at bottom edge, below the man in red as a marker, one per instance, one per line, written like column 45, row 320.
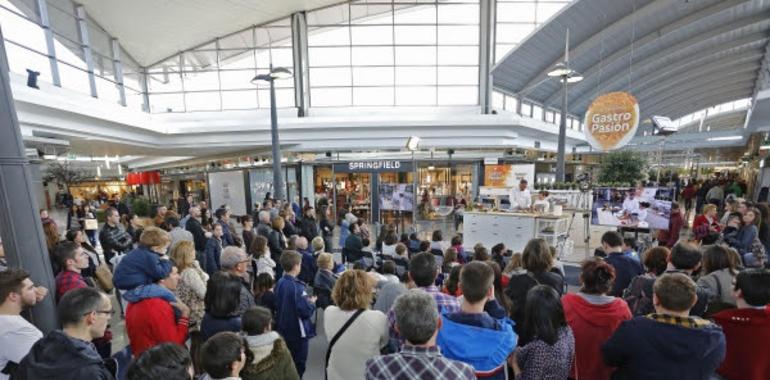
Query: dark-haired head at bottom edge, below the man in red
column 167, row 361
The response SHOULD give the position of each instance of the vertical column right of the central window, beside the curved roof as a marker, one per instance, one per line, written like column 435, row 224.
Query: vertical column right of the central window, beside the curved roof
column 486, row 51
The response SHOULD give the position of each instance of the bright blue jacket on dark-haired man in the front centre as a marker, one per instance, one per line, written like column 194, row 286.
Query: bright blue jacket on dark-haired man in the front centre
column 484, row 349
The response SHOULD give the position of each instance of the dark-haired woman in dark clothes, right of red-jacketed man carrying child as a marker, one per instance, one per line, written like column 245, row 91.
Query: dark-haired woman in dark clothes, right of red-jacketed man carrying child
column 223, row 295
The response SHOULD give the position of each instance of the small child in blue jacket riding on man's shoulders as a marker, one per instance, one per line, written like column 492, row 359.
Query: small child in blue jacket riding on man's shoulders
column 146, row 264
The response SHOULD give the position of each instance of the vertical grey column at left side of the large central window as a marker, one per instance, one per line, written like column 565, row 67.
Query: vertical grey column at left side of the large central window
column 300, row 54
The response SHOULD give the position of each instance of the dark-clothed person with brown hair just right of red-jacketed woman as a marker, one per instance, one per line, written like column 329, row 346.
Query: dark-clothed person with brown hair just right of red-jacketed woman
column 638, row 295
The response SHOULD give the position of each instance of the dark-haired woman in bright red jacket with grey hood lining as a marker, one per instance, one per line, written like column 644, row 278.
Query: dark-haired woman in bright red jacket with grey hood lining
column 593, row 316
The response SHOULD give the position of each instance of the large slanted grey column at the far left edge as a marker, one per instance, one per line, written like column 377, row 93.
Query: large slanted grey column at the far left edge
column 20, row 224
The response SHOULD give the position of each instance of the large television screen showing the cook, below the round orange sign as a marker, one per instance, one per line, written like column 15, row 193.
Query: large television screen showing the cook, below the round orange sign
column 648, row 207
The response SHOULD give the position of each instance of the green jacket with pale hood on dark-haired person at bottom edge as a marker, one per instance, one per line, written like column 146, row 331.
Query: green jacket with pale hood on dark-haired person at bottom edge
column 272, row 359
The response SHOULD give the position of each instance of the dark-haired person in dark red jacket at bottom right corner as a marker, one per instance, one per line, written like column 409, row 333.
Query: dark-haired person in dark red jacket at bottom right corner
column 747, row 328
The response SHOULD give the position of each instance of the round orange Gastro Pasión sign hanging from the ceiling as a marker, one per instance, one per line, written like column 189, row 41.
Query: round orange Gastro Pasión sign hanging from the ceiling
column 611, row 120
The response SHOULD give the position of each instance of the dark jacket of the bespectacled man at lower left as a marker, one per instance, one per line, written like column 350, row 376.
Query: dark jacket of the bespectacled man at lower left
column 58, row 354
